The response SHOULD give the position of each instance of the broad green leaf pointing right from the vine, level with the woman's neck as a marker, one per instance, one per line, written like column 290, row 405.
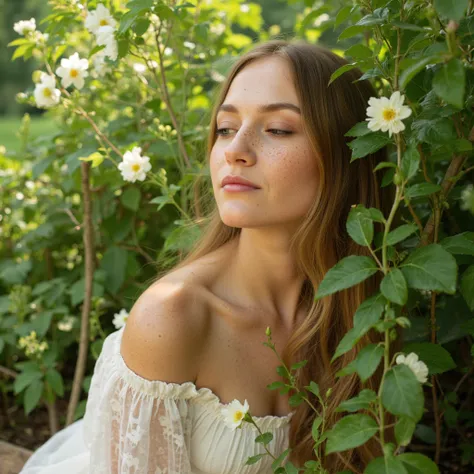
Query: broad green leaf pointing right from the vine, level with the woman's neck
column 431, row 268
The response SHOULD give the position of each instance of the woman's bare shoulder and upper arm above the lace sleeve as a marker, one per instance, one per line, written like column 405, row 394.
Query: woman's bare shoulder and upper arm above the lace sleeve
column 164, row 334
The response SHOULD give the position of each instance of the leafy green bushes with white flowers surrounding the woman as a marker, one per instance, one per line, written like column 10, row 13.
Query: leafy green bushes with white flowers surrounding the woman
column 143, row 73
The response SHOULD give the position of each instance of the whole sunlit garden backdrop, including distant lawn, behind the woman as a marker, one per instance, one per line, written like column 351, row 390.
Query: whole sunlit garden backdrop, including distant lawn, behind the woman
column 79, row 242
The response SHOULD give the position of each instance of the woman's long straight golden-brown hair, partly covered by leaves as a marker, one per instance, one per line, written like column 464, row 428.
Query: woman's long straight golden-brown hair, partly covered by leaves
column 322, row 240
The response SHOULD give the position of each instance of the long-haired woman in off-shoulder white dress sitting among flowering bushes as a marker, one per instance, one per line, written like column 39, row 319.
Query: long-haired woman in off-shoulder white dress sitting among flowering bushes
column 193, row 341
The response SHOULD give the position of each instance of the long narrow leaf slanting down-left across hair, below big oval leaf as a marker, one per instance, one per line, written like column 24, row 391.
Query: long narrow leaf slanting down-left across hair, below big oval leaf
column 366, row 316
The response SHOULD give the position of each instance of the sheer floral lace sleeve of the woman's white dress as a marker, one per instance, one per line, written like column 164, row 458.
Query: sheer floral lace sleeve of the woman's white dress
column 133, row 425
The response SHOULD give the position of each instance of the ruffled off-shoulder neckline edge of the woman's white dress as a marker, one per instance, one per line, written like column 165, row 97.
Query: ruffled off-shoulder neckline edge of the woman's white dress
column 190, row 390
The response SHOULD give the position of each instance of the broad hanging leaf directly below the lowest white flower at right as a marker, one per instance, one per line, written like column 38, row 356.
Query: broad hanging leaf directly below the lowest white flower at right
column 402, row 393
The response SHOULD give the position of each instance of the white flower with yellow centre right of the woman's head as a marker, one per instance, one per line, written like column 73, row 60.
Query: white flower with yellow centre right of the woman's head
column 387, row 114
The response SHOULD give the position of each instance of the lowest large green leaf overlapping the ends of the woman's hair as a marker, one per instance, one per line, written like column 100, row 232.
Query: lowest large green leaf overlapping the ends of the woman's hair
column 350, row 432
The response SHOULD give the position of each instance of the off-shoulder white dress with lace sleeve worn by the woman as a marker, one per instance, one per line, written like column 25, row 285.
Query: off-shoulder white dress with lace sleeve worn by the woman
column 137, row 426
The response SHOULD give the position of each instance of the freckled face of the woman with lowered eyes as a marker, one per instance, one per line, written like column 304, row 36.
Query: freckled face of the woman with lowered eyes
column 267, row 147
